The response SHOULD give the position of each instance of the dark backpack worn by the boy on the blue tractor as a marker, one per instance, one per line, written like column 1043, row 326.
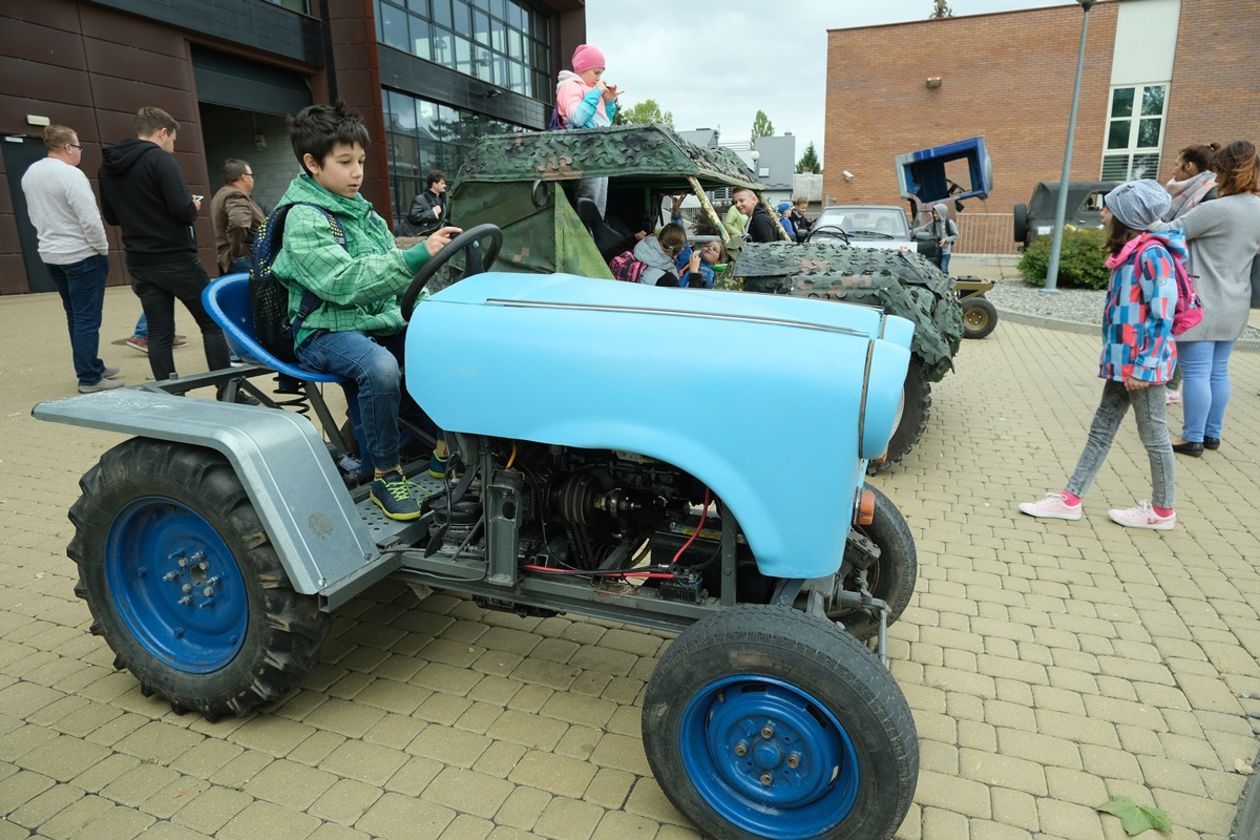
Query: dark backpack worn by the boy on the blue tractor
column 269, row 297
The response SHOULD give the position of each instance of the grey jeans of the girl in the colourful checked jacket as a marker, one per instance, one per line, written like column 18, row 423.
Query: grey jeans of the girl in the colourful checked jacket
column 1148, row 410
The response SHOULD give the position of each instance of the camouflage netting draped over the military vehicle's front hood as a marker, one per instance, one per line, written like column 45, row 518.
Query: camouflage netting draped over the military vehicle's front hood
column 900, row 283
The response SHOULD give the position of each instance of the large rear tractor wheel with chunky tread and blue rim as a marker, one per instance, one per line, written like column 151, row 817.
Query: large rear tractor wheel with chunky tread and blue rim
column 244, row 638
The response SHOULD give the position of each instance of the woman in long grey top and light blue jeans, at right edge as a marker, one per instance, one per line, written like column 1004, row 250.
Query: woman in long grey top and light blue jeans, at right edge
column 1224, row 239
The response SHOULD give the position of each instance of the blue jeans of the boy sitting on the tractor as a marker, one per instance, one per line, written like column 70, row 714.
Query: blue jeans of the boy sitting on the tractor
column 371, row 365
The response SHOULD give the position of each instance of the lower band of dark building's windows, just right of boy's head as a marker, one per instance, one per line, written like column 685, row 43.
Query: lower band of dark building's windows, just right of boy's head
column 423, row 135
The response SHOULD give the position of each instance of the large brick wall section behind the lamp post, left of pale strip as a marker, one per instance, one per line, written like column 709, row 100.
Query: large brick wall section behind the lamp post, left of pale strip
column 1005, row 76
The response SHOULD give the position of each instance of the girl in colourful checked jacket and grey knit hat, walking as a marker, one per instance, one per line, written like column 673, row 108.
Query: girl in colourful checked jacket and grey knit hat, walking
column 1138, row 356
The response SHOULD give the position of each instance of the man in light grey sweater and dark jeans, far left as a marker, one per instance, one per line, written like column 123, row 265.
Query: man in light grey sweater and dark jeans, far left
column 74, row 247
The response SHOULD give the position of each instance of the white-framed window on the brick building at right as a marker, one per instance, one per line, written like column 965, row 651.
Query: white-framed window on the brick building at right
column 1135, row 133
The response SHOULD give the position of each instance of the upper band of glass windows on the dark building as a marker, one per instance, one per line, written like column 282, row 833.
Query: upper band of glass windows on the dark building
column 502, row 42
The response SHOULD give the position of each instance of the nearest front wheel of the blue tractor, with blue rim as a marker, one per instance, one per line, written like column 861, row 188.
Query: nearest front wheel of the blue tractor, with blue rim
column 745, row 664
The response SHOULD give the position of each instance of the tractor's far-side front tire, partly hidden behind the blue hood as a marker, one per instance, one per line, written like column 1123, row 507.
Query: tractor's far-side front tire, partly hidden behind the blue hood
column 893, row 579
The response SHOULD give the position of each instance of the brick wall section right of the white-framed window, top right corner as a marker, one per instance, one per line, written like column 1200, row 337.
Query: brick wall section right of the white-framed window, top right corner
column 1215, row 94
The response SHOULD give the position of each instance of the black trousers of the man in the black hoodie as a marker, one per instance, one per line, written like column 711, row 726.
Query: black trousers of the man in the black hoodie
column 158, row 288
